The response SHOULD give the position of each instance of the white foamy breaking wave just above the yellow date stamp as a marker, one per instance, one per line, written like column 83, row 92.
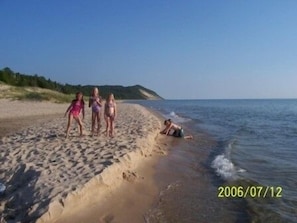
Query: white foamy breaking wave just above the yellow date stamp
column 225, row 168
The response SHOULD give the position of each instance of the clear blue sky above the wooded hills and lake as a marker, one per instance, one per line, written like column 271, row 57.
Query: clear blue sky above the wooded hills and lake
column 198, row 49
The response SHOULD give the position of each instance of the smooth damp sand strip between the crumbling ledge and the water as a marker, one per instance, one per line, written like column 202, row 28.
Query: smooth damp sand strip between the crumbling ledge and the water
column 129, row 201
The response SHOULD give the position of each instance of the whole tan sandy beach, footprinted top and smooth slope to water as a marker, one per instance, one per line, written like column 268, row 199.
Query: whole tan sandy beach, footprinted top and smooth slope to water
column 52, row 179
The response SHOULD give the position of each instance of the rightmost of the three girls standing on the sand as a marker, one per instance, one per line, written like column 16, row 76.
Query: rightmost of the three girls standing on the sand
column 110, row 112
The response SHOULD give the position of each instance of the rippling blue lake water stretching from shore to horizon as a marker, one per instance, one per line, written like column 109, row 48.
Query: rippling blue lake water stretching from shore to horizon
column 252, row 158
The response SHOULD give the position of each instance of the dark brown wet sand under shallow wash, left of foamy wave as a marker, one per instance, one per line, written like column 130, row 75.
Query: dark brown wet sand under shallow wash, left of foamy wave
column 188, row 188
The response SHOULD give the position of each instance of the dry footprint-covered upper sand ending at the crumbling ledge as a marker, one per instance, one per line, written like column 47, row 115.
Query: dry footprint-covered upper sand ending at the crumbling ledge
column 44, row 173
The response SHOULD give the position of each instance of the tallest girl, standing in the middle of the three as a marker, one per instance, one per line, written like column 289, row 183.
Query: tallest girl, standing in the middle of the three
column 95, row 103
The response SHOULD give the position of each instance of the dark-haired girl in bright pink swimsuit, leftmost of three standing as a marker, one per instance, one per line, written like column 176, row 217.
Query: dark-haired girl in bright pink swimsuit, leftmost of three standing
column 74, row 109
